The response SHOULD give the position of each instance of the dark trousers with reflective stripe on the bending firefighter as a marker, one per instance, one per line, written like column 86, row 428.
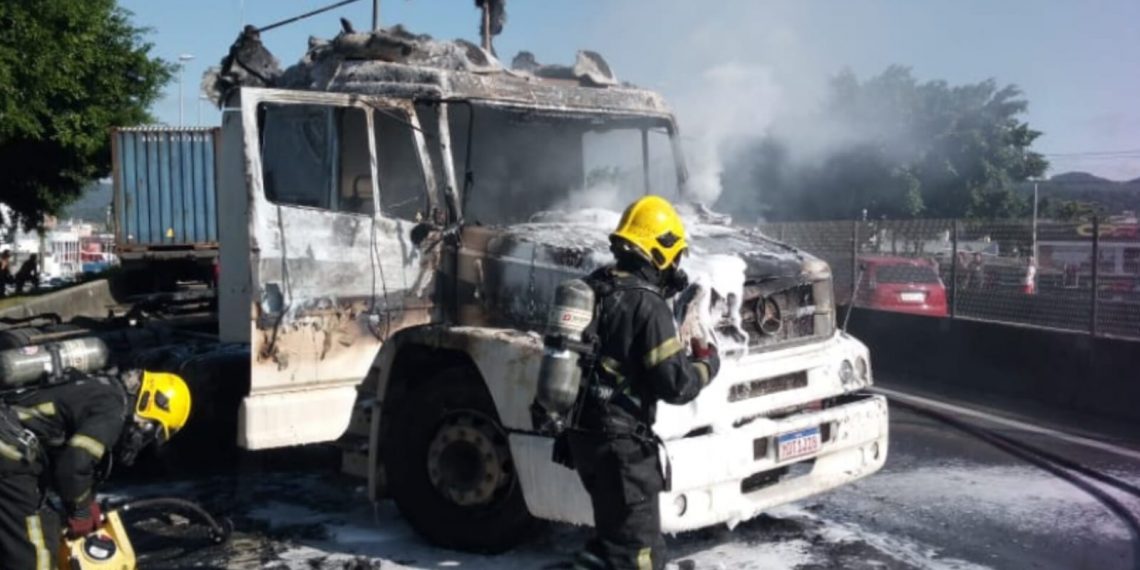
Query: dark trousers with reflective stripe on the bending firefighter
column 29, row 535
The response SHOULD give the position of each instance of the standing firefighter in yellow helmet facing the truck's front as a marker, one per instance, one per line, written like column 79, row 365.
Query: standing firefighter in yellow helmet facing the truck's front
column 613, row 352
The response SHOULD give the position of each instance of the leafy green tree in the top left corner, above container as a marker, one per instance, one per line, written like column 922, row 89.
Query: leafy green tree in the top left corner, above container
column 70, row 70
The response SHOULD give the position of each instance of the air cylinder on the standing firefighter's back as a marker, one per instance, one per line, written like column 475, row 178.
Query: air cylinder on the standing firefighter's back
column 560, row 374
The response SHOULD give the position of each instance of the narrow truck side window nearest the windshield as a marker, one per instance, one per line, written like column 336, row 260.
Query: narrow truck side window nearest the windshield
column 403, row 190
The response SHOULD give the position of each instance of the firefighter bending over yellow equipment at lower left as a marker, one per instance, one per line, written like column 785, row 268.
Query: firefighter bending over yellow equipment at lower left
column 70, row 433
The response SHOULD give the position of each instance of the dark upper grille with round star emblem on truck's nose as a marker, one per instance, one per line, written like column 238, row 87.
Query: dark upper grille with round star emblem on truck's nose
column 784, row 316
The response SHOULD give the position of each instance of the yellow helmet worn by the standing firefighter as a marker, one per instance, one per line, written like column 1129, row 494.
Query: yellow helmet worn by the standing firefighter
column 654, row 227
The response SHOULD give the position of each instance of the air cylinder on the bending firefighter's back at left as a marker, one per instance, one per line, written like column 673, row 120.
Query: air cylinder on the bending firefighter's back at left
column 32, row 364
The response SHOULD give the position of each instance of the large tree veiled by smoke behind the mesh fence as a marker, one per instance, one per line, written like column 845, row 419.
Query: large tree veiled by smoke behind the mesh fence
column 897, row 149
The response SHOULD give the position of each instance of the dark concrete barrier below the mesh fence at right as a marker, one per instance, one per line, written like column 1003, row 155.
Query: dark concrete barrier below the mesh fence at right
column 1068, row 370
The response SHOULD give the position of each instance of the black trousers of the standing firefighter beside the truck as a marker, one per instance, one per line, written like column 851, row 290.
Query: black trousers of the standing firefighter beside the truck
column 623, row 476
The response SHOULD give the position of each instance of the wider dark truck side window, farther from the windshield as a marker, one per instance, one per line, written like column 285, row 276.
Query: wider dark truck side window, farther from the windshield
column 316, row 157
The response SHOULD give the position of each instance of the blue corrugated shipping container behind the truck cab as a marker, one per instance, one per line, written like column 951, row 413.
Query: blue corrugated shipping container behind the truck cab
column 166, row 189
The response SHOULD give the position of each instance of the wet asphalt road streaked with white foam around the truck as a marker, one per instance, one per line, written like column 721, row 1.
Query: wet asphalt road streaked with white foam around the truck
column 944, row 501
